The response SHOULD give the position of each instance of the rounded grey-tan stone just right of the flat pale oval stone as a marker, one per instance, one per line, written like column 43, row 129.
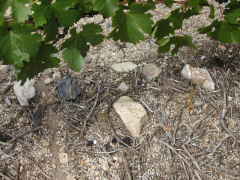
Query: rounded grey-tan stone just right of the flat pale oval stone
column 151, row 71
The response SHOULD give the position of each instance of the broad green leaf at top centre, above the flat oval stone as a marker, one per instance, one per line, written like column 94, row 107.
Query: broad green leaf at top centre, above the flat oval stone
column 127, row 24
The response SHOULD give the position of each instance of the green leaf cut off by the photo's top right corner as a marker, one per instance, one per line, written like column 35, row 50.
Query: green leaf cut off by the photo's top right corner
column 232, row 12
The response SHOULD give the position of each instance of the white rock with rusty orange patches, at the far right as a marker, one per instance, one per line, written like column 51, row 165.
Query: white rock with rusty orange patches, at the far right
column 199, row 76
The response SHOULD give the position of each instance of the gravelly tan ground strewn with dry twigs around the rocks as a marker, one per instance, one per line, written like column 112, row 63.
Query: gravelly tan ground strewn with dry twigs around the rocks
column 185, row 137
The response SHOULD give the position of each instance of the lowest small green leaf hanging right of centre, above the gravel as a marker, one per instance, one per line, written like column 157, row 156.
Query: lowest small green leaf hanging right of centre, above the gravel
column 164, row 44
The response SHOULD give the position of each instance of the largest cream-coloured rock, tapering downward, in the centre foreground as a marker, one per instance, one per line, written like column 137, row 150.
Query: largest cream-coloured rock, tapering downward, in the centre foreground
column 132, row 114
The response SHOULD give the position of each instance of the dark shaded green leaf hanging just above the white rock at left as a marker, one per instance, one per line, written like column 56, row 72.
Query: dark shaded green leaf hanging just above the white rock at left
column 43, row 60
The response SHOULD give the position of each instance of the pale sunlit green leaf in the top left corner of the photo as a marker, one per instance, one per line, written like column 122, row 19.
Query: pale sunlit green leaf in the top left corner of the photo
column 20, row 11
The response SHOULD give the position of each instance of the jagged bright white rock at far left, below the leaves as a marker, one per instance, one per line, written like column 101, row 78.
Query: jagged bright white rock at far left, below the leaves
column 24, row 93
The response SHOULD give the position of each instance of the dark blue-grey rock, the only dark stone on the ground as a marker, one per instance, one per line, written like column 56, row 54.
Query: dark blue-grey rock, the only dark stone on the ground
column 68, row 89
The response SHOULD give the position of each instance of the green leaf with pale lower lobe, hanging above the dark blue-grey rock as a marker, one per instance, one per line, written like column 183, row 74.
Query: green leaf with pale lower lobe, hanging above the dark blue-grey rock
column 76, row 46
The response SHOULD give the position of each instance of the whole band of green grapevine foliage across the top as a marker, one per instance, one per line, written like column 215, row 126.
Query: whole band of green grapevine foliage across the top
column 31, row 51
